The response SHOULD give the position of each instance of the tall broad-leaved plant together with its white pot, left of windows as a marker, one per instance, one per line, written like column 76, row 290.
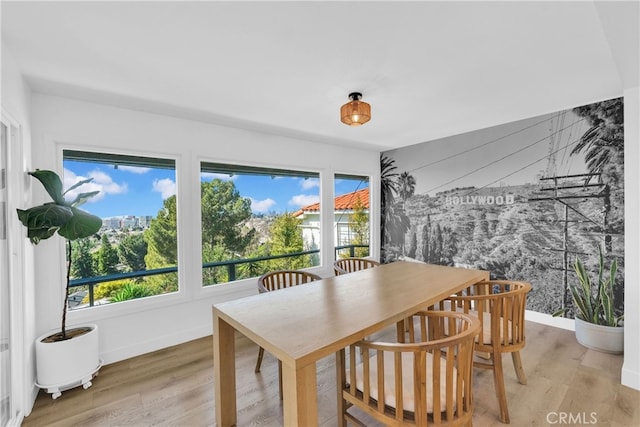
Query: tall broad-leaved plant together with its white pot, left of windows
column 64, row 358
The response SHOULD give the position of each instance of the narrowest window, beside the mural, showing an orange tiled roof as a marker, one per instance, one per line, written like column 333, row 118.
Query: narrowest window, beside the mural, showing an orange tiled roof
column 351, row 211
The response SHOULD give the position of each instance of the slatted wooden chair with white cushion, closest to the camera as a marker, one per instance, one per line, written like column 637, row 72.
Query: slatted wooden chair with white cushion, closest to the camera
column 423, row 378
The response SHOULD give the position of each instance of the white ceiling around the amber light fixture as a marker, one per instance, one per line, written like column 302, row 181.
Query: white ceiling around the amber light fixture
column 428, row 69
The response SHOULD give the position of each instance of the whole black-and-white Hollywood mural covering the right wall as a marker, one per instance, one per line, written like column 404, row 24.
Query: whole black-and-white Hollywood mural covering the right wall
column 520, row 200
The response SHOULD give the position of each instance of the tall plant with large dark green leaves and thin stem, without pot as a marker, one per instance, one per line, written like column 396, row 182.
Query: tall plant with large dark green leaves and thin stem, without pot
column 61, row 217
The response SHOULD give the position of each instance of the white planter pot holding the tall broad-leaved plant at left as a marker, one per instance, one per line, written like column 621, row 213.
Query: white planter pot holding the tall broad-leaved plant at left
column 66, row 364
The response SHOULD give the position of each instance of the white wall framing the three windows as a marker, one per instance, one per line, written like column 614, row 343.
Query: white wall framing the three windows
column 135, row 327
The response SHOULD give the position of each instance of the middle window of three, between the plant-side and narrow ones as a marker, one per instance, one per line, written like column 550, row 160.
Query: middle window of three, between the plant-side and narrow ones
column 256, row 220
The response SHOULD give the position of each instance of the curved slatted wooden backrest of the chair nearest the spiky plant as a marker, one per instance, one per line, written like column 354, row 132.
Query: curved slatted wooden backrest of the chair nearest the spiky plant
column 500, row 306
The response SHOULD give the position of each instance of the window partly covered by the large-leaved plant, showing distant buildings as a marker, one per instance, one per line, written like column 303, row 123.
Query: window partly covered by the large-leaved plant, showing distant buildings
column 135, row 254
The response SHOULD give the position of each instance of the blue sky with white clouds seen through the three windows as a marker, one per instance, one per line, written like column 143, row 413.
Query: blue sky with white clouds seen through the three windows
column 140, row 191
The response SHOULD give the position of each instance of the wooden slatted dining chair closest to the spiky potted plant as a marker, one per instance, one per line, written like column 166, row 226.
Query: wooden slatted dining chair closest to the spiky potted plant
column 499, row 305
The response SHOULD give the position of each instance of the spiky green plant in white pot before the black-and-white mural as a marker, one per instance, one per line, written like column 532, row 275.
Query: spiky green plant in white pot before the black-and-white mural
column 598, row 325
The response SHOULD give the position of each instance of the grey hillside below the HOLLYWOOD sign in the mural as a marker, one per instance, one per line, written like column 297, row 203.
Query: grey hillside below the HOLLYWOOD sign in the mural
column 500, row 229
